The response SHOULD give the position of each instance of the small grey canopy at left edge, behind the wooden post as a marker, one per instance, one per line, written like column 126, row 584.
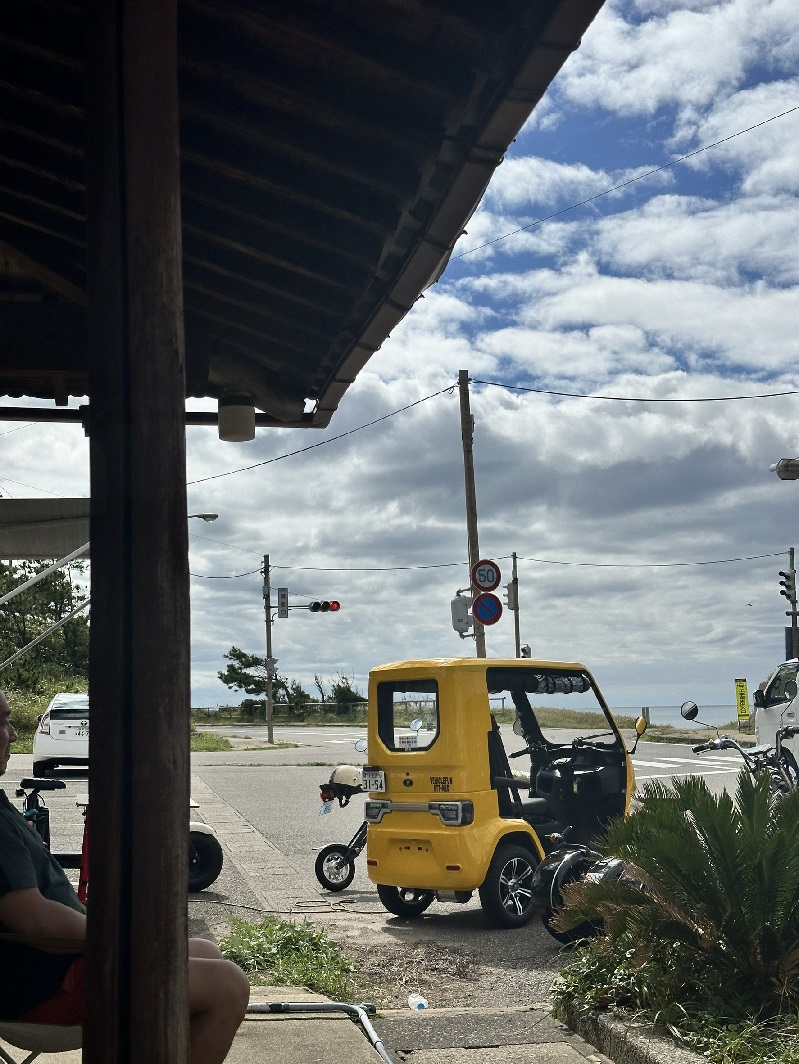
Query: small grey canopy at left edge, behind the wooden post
column 37, row 529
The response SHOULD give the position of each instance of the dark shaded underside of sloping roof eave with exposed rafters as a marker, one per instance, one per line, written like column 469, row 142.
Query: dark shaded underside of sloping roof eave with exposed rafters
column 331, row 154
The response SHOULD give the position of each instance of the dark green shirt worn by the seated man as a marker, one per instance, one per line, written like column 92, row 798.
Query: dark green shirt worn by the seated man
column 28, row 976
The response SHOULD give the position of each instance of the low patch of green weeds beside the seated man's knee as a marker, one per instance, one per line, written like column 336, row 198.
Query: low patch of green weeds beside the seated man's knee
column 290, row 955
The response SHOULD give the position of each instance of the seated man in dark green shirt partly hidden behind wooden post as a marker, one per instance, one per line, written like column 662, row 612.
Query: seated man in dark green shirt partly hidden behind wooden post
column 44, row 985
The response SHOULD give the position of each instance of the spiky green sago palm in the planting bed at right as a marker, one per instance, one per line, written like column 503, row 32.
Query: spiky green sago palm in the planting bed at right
column 722, row 890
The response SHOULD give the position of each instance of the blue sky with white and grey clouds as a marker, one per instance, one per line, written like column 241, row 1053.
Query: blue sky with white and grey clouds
column 603, row 262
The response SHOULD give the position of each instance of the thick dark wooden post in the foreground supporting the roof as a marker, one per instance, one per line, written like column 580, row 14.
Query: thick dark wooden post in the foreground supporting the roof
column 137, row 971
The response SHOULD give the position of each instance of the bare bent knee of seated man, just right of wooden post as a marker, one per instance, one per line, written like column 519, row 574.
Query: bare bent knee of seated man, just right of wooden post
column 219, row 995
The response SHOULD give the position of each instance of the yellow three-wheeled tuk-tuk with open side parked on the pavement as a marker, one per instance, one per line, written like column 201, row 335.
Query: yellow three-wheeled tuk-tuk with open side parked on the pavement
column 447, row 816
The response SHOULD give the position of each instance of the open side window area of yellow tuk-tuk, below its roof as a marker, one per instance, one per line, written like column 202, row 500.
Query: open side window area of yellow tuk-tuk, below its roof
column 552, row 705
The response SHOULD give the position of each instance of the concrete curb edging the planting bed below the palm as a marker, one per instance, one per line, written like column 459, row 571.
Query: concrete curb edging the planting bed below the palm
column 629, row 1042
